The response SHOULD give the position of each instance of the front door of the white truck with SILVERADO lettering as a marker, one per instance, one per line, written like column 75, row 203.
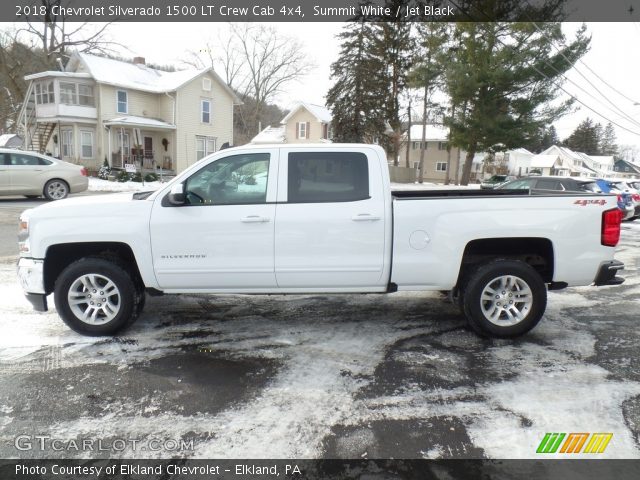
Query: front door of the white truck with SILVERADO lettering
column 224, row 236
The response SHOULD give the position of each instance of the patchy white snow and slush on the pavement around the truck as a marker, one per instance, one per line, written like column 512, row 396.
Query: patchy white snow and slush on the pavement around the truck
column 549, row 382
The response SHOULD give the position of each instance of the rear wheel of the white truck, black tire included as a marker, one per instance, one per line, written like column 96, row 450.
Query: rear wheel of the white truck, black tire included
column 521, row 293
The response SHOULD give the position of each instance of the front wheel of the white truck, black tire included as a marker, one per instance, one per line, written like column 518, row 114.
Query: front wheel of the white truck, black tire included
column 117, row 312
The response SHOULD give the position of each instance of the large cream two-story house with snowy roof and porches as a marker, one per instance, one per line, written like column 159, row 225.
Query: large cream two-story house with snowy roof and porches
column 100, row 108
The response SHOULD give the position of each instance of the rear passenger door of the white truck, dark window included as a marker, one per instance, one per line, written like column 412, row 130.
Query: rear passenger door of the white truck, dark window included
column 330, row 227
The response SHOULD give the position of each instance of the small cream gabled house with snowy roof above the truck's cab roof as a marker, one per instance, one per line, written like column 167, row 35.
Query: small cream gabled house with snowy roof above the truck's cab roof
column 305, row 123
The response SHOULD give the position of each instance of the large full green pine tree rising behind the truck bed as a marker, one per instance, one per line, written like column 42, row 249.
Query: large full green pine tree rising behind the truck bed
column 506, row 76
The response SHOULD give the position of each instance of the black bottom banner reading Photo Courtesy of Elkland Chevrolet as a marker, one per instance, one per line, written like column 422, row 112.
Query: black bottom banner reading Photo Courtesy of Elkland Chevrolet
column 318, row 469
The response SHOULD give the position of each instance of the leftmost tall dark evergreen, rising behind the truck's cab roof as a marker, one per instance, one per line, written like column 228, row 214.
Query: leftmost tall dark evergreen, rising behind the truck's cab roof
column 357, row 96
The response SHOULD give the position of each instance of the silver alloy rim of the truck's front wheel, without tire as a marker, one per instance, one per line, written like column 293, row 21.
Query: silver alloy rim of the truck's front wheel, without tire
column 94, row 299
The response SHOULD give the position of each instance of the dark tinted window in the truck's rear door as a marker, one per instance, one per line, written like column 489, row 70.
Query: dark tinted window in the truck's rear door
column 328, row 177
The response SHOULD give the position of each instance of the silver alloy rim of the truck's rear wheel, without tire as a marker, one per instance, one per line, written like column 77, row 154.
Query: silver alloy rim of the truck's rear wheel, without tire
column 506, row 300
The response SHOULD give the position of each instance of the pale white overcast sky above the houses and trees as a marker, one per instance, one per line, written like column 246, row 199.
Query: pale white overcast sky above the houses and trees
column 614, row 57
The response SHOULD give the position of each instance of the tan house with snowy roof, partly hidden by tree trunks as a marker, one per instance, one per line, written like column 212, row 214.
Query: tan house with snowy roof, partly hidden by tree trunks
column 436, row 155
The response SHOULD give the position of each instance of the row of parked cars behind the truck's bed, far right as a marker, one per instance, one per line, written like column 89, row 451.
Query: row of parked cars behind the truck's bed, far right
column 627, row 191
